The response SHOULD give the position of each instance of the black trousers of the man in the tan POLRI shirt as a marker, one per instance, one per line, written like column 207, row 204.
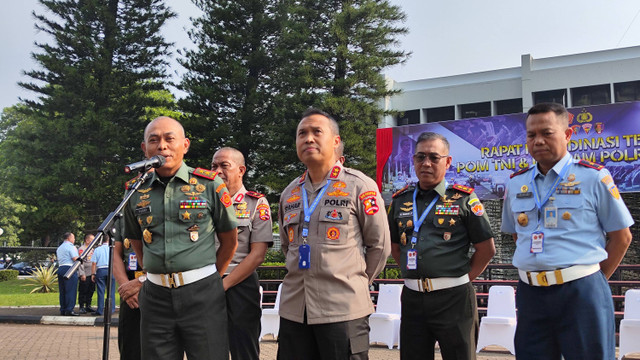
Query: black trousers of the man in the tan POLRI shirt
column 345, row 340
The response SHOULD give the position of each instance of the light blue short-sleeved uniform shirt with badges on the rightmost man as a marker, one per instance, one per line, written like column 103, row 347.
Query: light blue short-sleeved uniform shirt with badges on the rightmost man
column 582, row 219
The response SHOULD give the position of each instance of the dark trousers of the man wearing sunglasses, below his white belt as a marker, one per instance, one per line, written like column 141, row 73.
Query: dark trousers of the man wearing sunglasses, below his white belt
column 448, row 316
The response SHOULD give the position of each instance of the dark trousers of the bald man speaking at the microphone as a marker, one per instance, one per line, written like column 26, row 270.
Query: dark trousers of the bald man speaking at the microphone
column 191, row 319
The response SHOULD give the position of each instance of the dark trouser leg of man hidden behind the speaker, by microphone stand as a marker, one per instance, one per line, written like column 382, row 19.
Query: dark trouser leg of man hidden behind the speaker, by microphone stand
column 129, row 329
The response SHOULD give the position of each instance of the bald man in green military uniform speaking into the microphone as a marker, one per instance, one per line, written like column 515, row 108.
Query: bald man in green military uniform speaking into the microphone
column 170, row 222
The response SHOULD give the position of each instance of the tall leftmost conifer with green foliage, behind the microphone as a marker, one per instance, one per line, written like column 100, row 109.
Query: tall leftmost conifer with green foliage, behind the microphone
column 96, row 87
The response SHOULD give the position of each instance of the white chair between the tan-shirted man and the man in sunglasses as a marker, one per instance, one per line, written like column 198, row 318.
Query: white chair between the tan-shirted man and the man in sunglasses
column 385, row 322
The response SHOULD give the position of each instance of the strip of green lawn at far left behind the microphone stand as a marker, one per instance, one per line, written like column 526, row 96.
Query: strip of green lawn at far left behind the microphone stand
column 15, row 293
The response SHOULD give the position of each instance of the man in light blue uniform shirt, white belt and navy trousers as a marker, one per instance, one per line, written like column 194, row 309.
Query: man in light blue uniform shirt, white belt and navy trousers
column 571, row 229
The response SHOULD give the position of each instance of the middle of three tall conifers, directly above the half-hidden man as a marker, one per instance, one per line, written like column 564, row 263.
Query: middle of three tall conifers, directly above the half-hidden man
column 228, row 76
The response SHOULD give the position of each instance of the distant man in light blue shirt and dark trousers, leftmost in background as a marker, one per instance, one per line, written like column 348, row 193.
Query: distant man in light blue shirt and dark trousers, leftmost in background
column 67, row 253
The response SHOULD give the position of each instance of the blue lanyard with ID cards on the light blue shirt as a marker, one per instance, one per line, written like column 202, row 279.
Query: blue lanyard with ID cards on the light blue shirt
column 547, row 215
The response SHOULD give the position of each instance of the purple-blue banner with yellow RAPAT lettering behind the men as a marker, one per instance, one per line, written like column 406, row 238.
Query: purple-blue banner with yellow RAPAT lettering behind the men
column 486, row 151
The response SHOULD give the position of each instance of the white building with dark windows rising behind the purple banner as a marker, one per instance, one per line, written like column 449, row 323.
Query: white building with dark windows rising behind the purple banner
column 594, row 78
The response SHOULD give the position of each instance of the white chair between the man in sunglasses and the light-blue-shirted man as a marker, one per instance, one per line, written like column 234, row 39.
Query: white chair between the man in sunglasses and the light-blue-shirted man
column 499, row 326
